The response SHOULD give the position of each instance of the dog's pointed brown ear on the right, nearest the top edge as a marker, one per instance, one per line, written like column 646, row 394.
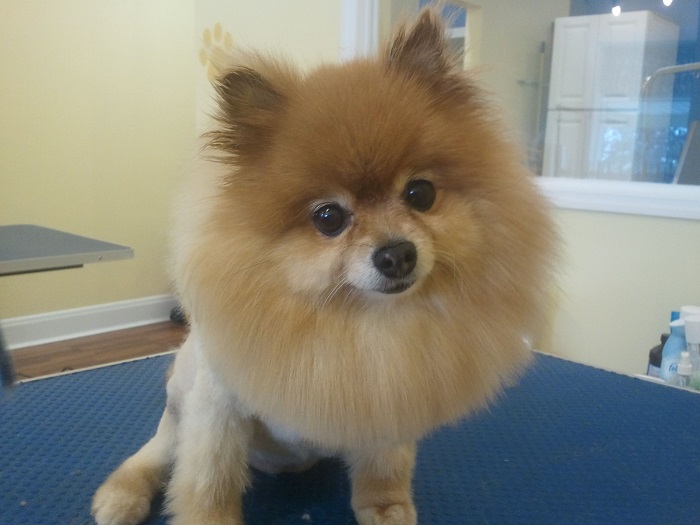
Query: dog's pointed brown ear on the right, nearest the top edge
column 421, row 48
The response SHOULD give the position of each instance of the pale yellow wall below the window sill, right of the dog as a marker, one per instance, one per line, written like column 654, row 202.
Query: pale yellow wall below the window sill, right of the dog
column 622, row 276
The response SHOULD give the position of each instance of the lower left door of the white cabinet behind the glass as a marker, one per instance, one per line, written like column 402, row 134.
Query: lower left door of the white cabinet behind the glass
column 566, row 143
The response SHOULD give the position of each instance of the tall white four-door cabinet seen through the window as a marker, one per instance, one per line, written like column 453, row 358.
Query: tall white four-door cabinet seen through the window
column 599, row 64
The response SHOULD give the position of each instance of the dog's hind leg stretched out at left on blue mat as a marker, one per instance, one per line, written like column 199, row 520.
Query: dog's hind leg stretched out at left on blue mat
column 125, row 497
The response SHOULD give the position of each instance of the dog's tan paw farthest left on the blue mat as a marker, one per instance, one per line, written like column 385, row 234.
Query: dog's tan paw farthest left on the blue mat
column 117, row 504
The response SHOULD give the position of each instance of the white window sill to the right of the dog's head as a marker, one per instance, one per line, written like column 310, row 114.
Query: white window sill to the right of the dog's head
column 637, row 198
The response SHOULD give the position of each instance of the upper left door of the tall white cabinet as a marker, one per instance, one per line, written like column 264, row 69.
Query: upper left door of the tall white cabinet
column 573, row 59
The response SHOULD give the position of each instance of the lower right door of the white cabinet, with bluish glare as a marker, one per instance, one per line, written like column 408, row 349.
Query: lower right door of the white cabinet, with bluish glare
column 612, row 144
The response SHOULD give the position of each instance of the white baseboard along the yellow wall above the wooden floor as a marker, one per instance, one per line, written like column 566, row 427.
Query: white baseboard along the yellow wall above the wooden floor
column 78, row 322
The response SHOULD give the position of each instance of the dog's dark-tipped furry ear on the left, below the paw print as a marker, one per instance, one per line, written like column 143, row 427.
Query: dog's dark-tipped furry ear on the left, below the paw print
column 250, row 105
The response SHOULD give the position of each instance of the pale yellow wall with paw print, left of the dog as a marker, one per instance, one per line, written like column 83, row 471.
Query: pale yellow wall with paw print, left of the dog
column 97, row 121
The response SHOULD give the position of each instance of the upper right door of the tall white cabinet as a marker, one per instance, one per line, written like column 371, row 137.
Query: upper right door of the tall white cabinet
column 620, row 56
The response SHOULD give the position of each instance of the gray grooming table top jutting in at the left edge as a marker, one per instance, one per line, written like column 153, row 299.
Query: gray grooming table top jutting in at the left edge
column 25, row 248
